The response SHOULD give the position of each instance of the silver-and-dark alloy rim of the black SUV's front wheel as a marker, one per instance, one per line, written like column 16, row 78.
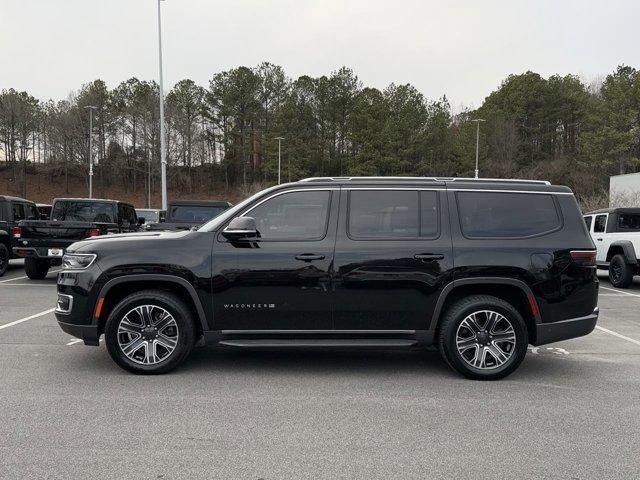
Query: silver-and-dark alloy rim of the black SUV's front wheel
column 147, row 334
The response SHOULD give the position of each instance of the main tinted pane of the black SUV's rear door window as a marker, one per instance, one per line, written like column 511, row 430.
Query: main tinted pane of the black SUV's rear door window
column 384, row 214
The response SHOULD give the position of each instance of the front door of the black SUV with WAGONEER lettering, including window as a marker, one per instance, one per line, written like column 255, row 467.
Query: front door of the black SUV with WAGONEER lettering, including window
column 281, row 279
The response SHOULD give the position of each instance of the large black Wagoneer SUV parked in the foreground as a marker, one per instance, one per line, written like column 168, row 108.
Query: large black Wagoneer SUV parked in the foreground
column 479, row 268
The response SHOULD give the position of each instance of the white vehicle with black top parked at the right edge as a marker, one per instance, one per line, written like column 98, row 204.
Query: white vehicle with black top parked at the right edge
column 616, row 235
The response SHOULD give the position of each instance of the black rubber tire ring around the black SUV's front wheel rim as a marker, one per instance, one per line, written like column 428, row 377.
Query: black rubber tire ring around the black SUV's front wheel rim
column 184, row 325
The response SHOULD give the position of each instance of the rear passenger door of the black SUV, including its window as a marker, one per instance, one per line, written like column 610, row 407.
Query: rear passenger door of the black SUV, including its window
column 393, row 256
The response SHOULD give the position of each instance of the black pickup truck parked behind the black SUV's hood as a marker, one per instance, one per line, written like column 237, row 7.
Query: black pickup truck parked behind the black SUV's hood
column 42, row 243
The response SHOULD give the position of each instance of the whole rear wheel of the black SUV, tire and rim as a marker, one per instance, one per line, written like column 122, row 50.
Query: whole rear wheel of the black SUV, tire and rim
column 504, row 344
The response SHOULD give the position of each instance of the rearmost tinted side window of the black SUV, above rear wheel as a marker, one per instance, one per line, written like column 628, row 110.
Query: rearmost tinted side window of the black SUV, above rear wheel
column 494, row 214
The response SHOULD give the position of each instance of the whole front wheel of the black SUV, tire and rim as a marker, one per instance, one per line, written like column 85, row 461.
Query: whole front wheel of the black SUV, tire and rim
column 128, row 343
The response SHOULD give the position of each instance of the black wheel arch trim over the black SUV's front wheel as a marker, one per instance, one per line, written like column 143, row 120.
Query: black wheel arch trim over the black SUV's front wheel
column 118, row 288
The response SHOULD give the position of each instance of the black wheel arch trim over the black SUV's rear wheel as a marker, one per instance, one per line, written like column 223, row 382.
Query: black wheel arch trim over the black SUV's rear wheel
column 511, row 290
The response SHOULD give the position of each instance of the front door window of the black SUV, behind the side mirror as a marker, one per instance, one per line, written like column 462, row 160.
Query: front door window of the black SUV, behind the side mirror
column 293, row 216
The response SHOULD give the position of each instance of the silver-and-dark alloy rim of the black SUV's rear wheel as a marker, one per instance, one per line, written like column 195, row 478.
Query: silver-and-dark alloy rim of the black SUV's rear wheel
column 485, row 339
